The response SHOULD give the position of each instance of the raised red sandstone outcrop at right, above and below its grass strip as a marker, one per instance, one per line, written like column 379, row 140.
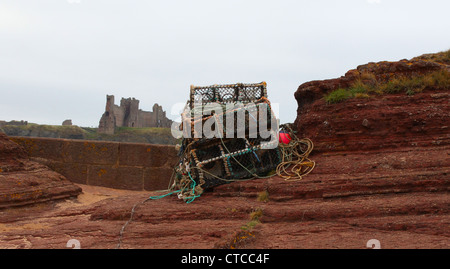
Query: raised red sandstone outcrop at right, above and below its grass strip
column 381, row 121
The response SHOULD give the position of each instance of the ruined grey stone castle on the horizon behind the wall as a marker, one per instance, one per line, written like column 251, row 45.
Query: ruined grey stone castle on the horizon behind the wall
column 128, row 114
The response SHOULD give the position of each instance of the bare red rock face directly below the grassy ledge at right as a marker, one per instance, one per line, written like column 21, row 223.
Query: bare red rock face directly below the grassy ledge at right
column 386, row 122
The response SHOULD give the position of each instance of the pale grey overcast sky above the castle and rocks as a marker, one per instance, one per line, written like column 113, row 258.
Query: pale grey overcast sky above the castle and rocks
column 60, row 58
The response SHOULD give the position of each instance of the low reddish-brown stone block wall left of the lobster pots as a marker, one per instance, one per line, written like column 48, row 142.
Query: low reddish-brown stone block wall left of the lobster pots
column 130, row 166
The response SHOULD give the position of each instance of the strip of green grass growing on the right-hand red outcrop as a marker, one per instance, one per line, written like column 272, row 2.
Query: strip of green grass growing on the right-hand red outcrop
column 367, row 86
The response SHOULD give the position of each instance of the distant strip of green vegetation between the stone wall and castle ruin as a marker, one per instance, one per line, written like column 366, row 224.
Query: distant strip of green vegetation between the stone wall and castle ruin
column 150, row 135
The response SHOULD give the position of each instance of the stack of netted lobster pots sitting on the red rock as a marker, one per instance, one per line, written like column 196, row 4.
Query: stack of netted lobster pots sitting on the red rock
column 230, row 133
